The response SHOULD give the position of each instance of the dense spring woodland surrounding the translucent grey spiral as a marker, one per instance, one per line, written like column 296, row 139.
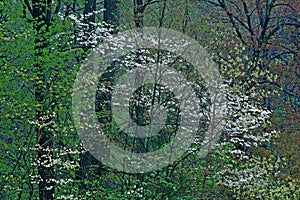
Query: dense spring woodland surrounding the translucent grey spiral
column 255, row 44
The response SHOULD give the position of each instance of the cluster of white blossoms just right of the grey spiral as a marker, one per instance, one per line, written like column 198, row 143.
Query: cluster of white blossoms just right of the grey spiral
column 244, row 130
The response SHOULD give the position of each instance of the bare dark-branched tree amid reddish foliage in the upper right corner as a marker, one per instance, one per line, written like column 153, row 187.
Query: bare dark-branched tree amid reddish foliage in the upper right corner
column 270, row 30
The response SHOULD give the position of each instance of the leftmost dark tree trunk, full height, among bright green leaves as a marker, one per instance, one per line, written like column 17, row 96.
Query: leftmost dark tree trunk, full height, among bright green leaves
column 44, row 137
